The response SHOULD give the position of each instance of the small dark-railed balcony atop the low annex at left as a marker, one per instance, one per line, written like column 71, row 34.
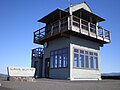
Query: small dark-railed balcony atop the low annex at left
column 37, row 53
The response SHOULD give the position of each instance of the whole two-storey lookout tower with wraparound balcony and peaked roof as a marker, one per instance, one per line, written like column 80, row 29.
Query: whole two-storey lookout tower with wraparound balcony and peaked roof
column 72, row 39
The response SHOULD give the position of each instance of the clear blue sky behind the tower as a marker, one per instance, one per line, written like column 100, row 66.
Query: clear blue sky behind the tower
column 18, row 21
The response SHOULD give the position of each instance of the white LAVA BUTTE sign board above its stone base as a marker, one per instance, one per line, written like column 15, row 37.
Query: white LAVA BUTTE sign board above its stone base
column 21, row 71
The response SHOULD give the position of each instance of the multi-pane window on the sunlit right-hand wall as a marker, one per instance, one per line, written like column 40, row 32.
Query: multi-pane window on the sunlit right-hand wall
column 85, row 59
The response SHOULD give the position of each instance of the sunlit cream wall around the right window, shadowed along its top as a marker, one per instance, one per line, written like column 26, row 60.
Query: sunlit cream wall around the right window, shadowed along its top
column 83, row 74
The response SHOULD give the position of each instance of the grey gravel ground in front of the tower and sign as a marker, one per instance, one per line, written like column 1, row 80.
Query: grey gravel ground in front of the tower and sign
column 51, row 84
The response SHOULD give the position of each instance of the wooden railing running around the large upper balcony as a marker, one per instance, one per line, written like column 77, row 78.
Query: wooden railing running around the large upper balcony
column 78, row 22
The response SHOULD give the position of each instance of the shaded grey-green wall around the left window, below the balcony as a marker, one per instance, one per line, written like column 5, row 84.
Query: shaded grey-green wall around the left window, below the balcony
column 61, row 73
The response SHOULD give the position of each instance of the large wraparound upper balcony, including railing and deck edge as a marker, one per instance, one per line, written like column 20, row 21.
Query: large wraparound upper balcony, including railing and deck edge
column 72, row 24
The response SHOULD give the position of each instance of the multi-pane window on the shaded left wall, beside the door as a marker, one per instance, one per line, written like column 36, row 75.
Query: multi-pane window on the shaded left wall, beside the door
column 59, row 58
